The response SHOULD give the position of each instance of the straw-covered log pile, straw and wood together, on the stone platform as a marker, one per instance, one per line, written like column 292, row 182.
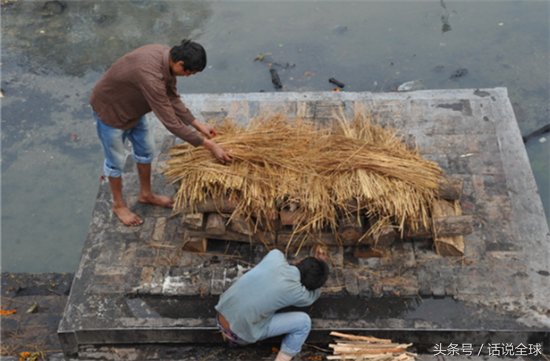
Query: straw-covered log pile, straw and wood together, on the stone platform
column 292, row 184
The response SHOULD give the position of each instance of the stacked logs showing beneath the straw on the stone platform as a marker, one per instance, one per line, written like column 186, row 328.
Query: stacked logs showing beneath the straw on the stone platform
column 215, row 219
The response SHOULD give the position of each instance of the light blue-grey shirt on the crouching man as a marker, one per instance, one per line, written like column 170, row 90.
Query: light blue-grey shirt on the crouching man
column 250, row 303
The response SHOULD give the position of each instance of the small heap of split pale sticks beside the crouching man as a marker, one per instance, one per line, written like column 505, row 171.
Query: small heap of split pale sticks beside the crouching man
column 367, row 348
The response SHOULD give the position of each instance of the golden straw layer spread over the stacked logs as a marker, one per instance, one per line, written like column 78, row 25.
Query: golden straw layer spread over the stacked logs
column 281, row 163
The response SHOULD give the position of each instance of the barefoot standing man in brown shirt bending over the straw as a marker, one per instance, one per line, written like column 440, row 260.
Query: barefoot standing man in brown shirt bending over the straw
column 141, row 81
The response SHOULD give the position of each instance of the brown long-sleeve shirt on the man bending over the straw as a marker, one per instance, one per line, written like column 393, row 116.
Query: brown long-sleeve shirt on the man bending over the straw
column 138, row 83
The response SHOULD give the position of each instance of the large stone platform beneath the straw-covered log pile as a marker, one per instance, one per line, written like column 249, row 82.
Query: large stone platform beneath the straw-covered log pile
column 136, row 285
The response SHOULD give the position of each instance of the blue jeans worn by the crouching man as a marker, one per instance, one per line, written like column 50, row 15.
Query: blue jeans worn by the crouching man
column 294, row 325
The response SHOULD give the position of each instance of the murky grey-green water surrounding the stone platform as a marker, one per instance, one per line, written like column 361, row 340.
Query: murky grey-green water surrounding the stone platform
column 53, row 52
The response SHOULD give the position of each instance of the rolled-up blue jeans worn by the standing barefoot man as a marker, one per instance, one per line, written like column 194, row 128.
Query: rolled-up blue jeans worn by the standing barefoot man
column 113, row 140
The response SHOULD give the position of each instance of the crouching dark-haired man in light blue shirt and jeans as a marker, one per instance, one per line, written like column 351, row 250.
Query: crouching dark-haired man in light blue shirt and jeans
column 247, row 310
